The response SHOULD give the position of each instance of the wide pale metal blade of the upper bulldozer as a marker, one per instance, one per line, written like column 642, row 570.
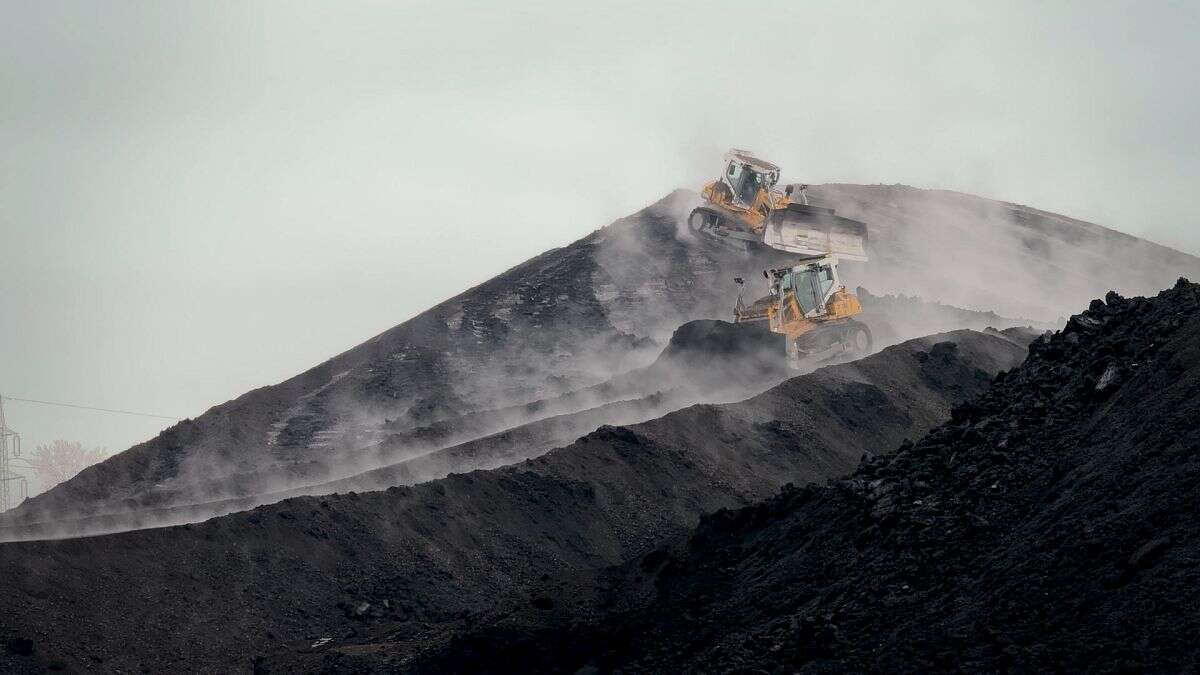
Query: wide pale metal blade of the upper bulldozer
column 814, row 231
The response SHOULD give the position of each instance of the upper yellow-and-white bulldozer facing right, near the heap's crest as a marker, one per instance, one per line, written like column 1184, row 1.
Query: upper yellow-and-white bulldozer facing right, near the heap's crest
column 745, row 210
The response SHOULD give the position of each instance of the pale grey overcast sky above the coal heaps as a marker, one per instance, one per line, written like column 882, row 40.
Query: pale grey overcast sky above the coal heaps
column 200, row 199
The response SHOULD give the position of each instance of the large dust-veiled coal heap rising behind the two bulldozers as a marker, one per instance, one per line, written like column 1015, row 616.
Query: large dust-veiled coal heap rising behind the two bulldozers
column 574, row 318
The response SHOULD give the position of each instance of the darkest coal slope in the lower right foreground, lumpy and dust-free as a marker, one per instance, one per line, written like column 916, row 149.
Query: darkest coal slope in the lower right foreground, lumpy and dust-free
column 1051, row 527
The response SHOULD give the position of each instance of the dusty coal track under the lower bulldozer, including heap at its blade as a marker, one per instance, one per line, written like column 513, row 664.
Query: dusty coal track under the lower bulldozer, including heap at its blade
column 705, row 361
